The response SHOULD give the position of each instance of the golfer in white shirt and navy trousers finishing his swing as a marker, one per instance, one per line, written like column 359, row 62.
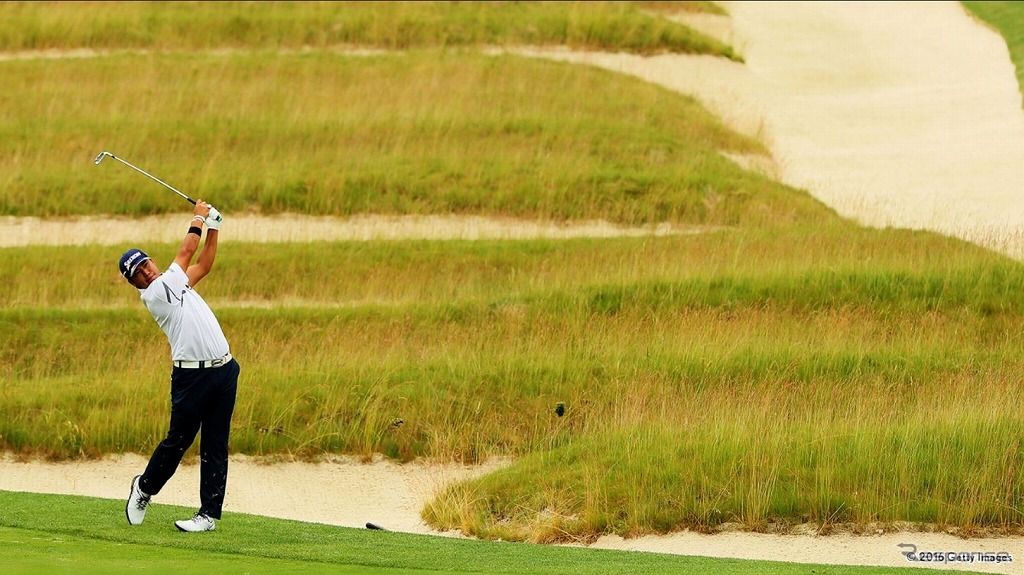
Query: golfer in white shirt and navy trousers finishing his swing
column 204, row 376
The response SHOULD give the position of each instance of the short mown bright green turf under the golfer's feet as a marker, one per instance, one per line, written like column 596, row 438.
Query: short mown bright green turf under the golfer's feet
column 83, row 536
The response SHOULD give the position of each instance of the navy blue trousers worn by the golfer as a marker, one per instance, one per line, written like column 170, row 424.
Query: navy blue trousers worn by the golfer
column 200, row 400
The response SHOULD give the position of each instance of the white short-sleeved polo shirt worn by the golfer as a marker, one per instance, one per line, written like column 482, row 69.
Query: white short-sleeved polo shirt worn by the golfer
column 191, row 327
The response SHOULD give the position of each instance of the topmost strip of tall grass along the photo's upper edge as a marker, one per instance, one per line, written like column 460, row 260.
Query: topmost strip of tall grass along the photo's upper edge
column 203, row 26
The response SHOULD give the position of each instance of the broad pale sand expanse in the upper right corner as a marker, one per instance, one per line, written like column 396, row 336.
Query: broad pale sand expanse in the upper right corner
column 895, row 114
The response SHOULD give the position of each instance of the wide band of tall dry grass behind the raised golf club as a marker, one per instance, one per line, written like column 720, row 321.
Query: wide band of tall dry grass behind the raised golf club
column 413, row 134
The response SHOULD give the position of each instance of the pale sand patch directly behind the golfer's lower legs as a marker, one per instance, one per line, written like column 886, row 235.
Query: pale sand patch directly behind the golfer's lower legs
column 342, row 492
